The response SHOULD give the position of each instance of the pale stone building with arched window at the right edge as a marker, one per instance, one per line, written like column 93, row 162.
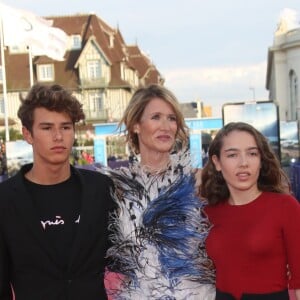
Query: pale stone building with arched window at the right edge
column 283, row 70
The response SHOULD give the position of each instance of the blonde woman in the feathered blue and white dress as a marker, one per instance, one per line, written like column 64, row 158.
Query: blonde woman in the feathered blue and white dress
column 159, row 231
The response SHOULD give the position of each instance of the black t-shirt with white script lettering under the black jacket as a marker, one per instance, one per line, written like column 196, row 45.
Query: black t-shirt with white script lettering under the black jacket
column 58, row 208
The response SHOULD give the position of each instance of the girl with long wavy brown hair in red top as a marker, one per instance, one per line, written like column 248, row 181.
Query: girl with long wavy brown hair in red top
column 255, row 239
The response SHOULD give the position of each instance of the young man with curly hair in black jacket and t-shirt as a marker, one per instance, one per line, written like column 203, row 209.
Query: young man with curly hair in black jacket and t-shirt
column 53, row 217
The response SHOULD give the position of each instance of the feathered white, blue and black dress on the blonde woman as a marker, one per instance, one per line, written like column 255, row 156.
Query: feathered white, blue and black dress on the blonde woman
column 159, row 234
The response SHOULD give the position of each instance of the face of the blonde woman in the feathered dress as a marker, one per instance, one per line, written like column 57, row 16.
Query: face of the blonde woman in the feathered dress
column 157, row 128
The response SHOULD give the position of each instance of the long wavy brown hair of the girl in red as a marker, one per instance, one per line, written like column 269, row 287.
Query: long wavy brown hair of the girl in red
column 271, row 178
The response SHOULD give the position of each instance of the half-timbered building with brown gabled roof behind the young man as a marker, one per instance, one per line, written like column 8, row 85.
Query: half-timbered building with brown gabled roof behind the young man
column 98, row 67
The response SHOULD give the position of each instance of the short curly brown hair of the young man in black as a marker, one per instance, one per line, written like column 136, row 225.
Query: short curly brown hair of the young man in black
column 53, row 98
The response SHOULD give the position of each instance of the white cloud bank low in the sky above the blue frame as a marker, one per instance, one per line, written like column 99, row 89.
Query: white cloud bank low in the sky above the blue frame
column 218, row 85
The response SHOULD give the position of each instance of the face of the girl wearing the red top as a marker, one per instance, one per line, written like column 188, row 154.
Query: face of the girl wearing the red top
column 239, row 162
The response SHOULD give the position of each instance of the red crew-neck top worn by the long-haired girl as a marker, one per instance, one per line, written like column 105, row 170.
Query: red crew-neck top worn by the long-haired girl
column 252, row 244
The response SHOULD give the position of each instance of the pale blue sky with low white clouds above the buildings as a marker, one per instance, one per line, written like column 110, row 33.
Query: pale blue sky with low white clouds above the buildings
column 214, row 51
